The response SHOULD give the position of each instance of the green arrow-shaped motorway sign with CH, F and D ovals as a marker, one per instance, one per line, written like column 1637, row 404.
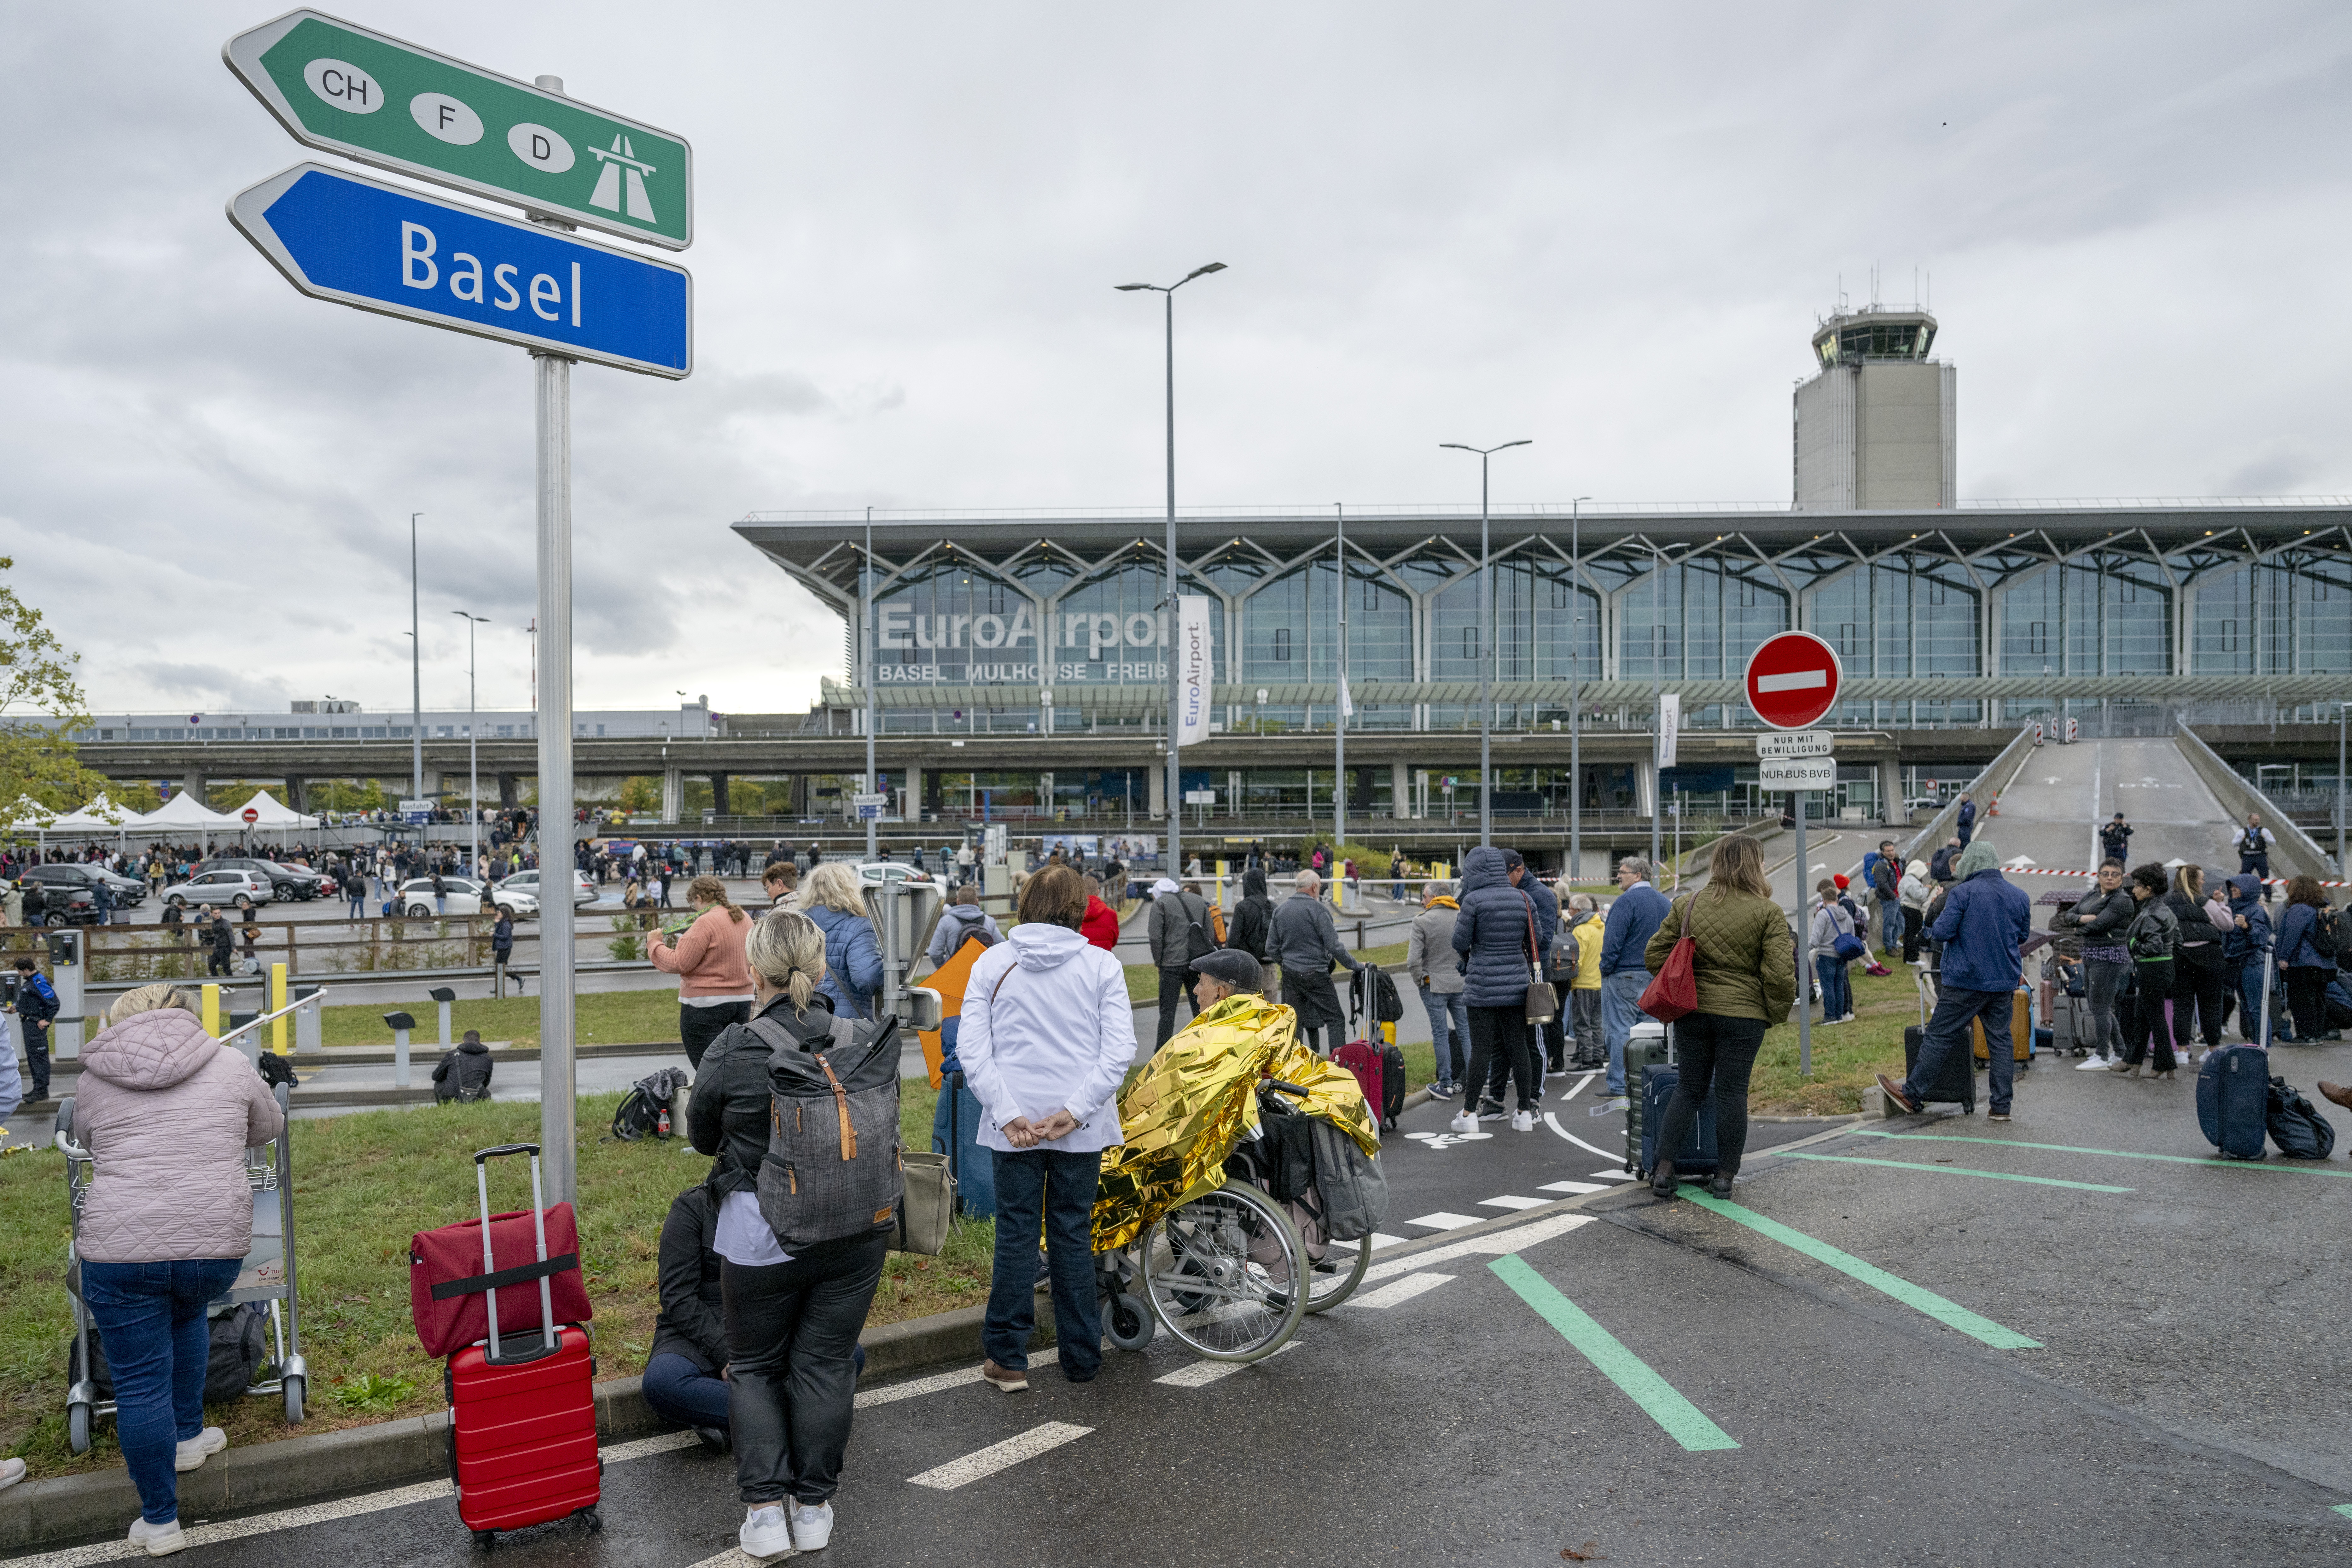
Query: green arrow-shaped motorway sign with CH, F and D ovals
column 392, row 105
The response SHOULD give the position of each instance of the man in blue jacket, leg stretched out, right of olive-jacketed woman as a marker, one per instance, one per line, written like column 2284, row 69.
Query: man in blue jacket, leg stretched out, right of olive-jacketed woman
column 1982, row 927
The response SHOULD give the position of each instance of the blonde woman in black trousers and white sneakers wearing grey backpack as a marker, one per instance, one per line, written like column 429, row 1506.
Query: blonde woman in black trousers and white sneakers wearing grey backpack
column 794, row 1318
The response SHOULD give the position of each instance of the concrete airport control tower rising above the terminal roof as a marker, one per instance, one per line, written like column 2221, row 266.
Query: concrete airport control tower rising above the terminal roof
column 1876, row 429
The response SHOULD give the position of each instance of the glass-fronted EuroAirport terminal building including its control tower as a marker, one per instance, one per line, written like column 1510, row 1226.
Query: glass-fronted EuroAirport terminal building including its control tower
column 1949, row 615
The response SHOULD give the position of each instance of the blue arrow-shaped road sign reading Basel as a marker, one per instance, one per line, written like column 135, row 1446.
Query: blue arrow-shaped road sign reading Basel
column 373, row 246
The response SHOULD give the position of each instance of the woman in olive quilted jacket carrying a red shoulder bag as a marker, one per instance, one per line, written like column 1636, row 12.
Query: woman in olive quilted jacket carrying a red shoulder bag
column 1746, row 972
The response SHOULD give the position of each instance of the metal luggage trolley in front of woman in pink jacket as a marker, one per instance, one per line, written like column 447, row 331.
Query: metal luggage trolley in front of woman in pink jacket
column 265, row 1278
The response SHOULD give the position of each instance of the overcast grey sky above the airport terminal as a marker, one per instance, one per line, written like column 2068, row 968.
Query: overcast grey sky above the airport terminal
column 1608, row 229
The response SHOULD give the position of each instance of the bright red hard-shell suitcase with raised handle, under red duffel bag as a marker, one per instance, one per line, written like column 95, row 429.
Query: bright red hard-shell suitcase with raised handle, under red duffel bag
column 523, row 1412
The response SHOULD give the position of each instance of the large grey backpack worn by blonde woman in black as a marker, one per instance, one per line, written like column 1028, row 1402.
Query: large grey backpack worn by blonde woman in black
column 831, row 1162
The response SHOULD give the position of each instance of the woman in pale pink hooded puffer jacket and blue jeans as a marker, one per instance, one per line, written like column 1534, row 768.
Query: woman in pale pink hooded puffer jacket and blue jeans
column 166, row 1113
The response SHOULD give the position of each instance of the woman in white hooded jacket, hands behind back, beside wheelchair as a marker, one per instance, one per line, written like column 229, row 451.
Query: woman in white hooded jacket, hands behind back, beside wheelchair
column 1045, row 1038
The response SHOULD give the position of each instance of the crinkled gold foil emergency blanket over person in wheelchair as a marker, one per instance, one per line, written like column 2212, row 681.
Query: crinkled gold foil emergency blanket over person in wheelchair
column 1196, row 1099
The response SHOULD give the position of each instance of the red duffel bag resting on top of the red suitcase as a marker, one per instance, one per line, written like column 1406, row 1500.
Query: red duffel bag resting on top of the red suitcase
column 450, row 1287
